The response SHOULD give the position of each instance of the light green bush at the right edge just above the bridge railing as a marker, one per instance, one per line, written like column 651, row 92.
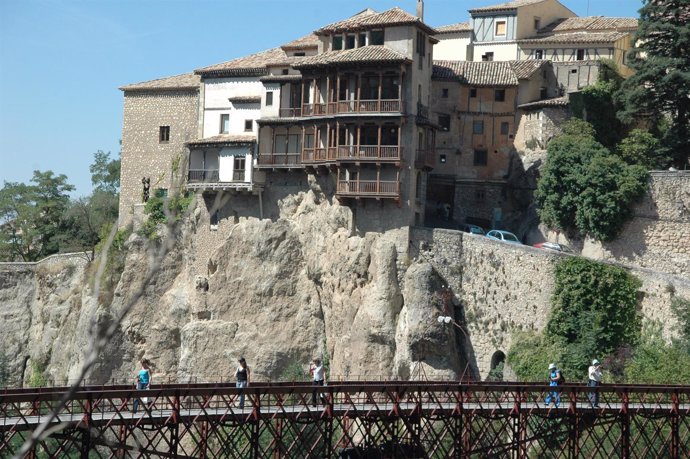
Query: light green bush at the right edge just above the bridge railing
column 655, row 362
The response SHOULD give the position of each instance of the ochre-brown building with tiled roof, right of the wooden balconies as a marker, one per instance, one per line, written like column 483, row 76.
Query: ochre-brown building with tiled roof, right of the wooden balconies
column 475, row 103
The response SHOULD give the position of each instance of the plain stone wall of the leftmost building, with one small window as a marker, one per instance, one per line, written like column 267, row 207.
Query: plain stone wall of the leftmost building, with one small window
column 142, row 153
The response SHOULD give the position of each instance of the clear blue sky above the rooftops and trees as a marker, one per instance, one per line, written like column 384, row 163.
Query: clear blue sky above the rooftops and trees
column 62, row 61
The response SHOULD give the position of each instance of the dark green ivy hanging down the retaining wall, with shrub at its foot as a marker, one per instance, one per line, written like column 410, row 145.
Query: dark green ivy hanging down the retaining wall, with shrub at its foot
column 593, row 315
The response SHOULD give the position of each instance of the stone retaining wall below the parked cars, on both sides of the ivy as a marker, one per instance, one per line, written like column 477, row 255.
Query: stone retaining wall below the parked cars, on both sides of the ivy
column 502, row 288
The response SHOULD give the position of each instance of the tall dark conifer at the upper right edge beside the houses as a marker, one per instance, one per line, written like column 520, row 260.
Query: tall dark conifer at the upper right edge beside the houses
column 661, row 83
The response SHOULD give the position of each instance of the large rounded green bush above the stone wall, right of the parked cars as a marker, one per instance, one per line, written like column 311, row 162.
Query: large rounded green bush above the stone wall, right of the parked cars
column 583, row 188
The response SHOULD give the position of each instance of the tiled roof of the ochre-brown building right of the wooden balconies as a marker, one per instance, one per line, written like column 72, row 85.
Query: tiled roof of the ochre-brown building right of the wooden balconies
column 476, row 73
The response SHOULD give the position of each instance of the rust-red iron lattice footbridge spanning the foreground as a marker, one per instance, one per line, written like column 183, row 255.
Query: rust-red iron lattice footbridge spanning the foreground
column 402, row 419
